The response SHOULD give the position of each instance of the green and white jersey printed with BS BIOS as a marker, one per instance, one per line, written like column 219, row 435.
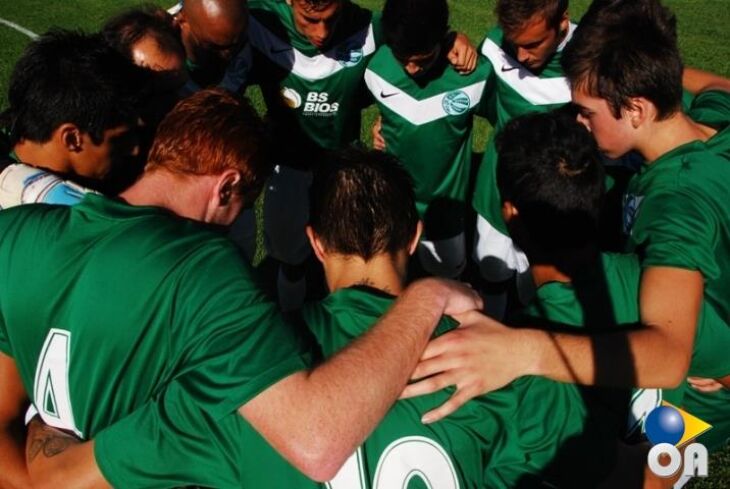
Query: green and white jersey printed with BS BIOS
column 314, row 98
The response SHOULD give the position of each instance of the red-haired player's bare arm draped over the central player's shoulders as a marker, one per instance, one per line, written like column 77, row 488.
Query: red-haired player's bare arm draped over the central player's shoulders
column 340, row 402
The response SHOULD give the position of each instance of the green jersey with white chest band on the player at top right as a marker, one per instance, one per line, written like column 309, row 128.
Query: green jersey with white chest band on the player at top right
column 515, row 91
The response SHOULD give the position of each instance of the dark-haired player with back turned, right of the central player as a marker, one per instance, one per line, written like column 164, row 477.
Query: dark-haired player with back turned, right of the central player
column 551, row 180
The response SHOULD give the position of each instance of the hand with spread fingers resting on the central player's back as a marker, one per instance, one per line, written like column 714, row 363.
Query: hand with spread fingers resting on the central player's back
column 480, row 356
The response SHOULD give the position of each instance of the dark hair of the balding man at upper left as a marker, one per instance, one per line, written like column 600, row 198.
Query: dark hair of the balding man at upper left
column 123, row 31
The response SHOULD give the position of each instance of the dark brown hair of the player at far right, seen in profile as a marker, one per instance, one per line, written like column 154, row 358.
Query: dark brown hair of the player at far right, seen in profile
column 627, row 50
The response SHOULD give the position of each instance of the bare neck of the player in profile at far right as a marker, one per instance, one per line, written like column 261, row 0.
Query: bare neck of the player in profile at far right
column 661, row 137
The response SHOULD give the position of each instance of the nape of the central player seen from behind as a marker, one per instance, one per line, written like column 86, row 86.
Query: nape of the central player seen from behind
column 382, row 272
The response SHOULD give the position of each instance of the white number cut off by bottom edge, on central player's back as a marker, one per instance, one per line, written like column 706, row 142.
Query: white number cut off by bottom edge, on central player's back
column 401, row 461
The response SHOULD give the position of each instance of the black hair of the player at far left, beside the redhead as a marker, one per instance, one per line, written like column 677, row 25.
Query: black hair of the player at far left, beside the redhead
column 66, row 76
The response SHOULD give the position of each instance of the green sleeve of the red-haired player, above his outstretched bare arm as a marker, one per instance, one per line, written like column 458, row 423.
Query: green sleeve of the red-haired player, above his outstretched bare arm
column 230, row 341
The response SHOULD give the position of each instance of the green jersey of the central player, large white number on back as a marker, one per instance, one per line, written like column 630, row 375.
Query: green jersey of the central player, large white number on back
column 510, row 435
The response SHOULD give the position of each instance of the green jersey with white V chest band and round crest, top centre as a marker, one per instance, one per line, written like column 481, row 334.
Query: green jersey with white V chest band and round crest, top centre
column 428, row 124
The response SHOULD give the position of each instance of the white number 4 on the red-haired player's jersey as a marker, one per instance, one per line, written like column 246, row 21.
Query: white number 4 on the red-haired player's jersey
column 51, row 393
